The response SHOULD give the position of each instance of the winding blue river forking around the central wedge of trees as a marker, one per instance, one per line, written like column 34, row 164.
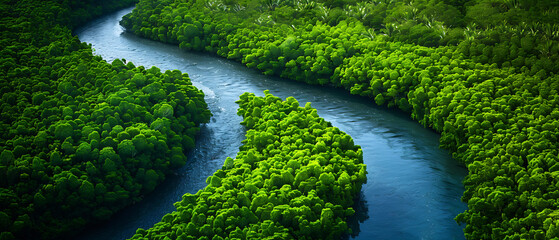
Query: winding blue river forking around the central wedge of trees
column 413, row 189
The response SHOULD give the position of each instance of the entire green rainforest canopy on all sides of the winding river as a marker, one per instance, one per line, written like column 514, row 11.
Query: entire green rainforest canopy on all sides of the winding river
column 83, row 138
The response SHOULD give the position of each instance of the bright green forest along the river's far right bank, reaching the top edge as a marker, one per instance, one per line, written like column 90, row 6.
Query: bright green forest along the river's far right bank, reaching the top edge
column 483, row 73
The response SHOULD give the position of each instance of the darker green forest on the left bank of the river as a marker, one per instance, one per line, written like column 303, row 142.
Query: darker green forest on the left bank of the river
column 81, row 138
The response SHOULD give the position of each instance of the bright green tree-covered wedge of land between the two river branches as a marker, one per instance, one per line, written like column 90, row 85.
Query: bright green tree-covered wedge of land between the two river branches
column 295, row 177
